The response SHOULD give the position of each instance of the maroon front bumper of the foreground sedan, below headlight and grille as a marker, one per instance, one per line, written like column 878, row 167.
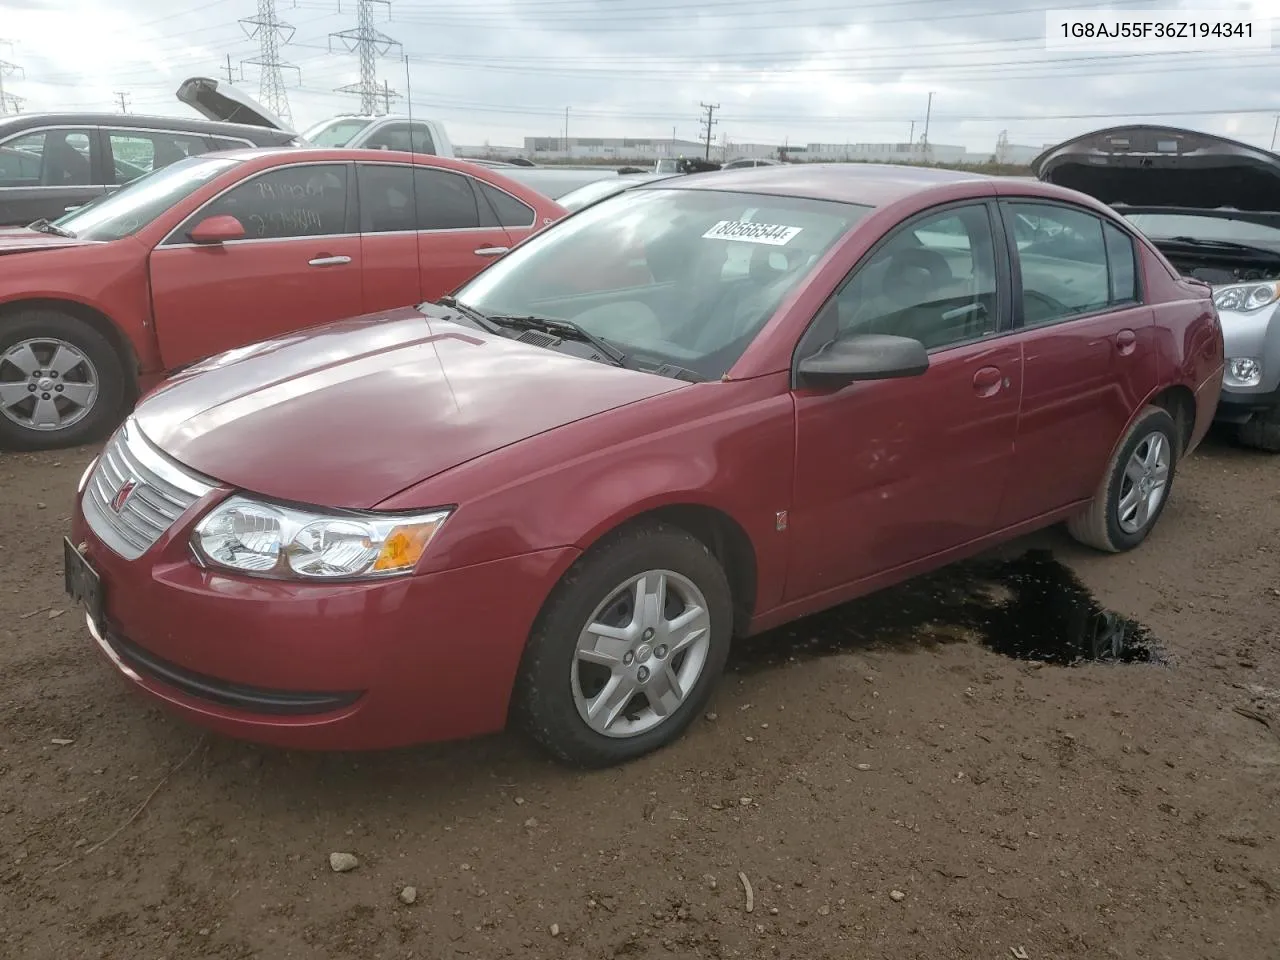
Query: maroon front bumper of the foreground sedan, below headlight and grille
column 328, row 668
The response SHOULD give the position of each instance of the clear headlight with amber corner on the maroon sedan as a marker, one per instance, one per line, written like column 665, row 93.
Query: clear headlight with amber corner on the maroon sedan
column 289, row 543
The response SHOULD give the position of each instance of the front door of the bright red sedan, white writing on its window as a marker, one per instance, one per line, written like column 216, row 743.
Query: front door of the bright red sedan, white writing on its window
column 299, row 266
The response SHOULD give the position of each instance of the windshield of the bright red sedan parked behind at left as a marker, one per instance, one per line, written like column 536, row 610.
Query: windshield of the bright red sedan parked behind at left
column 134, row 207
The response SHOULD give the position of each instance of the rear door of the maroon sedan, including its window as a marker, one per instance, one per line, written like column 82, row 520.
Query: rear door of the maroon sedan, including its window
column 1089, row 346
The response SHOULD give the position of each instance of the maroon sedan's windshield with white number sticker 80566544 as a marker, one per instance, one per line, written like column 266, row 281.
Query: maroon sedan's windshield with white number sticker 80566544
column 683, row 277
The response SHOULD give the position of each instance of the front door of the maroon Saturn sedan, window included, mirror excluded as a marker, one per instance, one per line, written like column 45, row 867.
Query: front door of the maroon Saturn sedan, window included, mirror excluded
column 895, row 472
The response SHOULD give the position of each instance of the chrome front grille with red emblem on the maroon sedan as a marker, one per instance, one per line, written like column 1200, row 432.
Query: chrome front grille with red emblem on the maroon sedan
column 163, row 491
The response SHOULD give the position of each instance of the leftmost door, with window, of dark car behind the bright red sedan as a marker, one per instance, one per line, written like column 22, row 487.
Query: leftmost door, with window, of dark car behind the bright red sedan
column 48, row 172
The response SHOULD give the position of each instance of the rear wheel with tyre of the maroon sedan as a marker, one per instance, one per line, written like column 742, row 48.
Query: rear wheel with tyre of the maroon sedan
column 1135, row 488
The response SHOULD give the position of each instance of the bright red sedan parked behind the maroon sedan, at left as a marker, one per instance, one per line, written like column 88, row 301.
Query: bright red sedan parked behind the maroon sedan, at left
column 223, row 250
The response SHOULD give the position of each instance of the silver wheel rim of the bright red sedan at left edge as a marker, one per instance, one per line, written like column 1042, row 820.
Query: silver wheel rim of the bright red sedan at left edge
column 47, row 385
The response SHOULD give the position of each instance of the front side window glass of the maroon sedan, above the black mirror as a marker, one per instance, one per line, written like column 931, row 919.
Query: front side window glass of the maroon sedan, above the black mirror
column 934, row 281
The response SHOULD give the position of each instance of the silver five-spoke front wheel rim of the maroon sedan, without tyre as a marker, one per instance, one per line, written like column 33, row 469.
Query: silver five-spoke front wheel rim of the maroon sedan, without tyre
column 642, row 653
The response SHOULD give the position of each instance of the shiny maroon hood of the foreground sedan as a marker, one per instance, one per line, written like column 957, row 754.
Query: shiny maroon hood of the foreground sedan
column 350, row 414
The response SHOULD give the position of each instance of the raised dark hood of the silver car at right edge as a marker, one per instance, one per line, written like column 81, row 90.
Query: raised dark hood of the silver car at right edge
column 1146, row 166
